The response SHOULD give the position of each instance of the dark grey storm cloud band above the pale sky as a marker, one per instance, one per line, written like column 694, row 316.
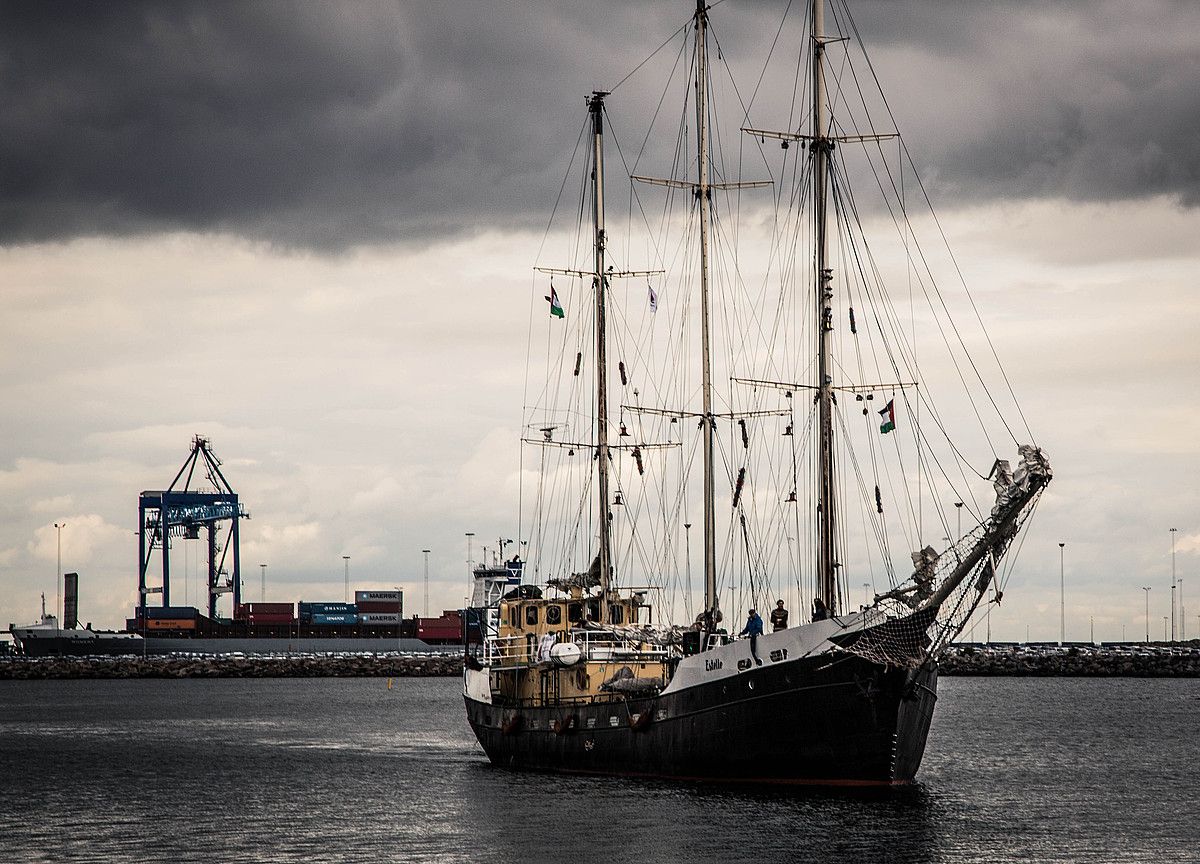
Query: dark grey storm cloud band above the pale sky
column 329, row 125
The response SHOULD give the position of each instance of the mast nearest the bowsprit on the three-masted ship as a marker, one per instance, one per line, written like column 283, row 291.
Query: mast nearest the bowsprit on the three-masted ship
column 827, row 520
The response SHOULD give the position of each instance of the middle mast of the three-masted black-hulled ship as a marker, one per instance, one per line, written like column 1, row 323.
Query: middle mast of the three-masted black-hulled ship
column 703, row 196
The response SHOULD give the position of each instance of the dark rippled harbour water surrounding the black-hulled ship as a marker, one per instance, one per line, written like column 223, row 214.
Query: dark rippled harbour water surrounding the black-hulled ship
column 346, row 770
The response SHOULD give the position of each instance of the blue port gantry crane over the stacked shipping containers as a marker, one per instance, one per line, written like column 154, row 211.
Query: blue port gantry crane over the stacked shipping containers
column 182, row 512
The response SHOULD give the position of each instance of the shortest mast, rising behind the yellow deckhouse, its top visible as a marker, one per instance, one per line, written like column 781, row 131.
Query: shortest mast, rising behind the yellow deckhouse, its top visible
column 596, row 107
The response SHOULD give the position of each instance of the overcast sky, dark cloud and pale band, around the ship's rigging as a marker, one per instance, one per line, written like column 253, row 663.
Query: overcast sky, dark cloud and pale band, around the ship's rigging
column 305, row 231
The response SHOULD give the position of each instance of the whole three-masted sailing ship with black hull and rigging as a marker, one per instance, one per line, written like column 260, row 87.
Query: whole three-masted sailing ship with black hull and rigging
column 812, row 380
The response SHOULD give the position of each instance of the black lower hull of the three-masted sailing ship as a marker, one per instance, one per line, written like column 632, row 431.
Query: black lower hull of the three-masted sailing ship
column 823, row 721
